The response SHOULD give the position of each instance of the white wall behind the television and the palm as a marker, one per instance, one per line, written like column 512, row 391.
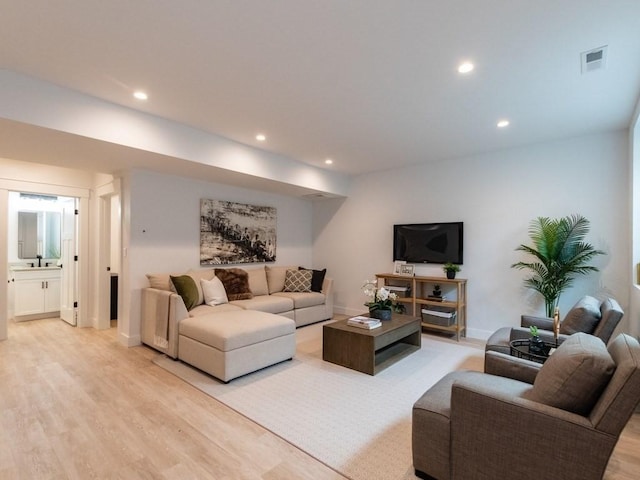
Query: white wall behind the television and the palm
column 496, row 196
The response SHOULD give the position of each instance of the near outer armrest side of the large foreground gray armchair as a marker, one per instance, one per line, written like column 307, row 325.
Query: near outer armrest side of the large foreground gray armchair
column 493, row 434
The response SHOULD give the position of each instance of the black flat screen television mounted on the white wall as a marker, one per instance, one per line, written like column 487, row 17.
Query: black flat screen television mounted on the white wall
column 428, row 242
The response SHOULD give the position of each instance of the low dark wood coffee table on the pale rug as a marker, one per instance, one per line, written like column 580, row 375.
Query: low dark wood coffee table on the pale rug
column 370, row 351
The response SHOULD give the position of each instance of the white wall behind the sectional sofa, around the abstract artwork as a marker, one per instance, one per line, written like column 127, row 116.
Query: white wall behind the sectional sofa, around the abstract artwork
column 161, row 232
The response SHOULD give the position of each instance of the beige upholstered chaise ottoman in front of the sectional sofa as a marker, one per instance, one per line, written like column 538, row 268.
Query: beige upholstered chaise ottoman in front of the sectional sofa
column 231, row 344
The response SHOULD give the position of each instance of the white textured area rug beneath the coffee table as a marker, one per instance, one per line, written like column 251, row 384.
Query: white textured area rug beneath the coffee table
column 357, row 424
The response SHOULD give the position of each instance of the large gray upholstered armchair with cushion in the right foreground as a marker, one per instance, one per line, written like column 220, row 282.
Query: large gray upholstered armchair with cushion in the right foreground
column 478, row 425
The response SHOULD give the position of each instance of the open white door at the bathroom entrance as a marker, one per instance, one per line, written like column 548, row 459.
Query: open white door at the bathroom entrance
column 69, row 273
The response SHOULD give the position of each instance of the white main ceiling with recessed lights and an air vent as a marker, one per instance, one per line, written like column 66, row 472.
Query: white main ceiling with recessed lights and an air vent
column 371, row 84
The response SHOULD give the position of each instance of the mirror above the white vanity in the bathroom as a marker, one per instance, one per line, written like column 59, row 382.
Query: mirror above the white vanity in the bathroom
column 39, row 234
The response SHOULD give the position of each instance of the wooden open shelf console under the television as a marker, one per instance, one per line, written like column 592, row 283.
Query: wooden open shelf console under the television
column 455, row 289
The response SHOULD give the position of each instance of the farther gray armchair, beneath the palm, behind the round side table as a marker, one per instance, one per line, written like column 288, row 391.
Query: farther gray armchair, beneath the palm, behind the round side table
column 588, row 315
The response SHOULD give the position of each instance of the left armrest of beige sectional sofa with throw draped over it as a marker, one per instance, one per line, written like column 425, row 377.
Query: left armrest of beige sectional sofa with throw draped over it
column 162, row 311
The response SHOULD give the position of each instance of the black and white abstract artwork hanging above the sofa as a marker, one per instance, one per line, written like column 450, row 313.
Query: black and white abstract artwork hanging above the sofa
column 233, row 232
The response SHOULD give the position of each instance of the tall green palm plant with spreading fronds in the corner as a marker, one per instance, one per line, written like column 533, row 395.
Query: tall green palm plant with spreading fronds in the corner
column 560, row 254
